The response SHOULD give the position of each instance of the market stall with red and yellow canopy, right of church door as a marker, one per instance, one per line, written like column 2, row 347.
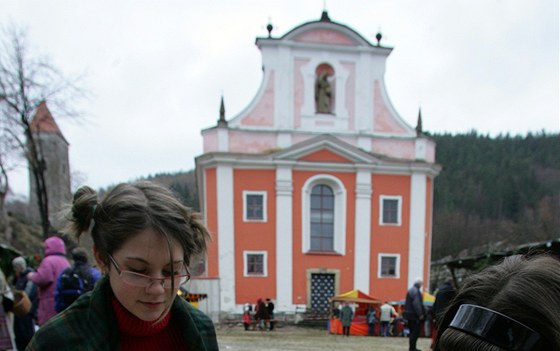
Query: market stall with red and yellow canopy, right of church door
column 362, row 301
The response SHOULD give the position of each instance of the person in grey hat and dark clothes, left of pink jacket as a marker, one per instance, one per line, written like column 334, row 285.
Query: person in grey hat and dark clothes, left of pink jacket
column 24, row 326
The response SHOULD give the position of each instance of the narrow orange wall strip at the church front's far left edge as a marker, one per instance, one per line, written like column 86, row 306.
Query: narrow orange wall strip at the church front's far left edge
column 211, row 221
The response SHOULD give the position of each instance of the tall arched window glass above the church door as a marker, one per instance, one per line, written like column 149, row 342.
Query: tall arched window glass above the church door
column 322, row 218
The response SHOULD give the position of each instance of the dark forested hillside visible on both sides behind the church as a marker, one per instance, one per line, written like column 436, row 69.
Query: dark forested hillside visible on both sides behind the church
column 504, row 189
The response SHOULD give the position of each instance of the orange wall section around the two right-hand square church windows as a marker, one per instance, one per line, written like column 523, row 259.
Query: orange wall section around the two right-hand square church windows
column 390, row 239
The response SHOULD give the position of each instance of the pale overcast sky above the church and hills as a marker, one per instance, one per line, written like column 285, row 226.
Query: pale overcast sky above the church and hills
column 156, row 70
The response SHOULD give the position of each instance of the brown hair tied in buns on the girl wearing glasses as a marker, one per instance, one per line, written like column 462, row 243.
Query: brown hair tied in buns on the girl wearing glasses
column 128, row 209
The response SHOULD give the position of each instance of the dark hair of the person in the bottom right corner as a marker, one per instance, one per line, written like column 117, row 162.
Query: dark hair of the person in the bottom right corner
column 526, row 289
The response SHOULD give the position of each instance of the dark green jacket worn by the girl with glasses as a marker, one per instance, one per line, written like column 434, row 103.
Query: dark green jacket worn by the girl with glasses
column 90, row 324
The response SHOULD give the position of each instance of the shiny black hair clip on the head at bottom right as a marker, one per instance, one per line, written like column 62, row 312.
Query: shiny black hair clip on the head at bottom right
column 496, row 328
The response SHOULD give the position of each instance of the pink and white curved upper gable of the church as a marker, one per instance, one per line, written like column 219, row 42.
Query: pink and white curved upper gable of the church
column 321, row 77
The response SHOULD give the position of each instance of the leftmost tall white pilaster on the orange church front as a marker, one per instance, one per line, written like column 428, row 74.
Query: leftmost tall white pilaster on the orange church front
column 226, row 258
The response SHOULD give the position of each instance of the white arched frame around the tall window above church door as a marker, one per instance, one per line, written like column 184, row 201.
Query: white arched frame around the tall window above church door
column 339, row 193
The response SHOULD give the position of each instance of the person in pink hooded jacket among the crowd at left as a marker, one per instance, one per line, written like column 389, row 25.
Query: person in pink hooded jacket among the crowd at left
column 53, row 263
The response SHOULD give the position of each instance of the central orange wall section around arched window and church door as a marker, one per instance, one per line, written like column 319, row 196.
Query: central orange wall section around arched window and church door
column 302, row 262
